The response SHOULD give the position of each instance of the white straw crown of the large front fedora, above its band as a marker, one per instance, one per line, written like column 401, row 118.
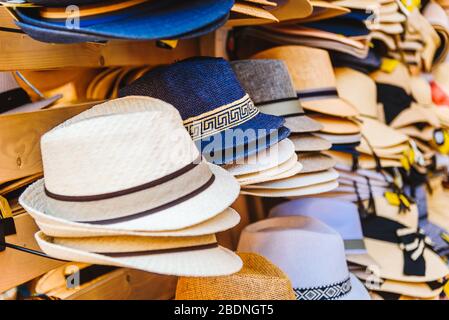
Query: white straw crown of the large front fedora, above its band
column 114, row 146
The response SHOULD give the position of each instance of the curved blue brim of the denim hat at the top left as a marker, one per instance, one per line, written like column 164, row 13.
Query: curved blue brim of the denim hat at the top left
column 149, row 23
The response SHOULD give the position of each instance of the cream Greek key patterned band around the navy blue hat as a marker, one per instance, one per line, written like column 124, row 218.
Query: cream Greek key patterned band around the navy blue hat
column 222, row 118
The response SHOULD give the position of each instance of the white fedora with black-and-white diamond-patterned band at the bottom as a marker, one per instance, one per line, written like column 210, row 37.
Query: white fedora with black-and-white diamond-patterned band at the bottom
column 309, row 252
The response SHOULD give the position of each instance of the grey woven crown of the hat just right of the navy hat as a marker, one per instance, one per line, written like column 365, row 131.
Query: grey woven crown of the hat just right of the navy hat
column 265, row 80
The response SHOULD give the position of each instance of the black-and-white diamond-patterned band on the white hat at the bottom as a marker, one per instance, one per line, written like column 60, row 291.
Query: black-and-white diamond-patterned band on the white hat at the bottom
column 326, row 292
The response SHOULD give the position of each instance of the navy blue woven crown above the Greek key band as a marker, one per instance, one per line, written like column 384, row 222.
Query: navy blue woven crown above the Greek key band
column 194, row 86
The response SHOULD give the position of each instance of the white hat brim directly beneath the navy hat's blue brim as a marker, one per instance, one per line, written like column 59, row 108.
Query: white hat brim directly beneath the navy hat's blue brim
column 265, row 160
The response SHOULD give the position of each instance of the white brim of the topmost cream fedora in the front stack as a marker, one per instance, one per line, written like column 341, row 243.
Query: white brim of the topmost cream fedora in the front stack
column 195, row 210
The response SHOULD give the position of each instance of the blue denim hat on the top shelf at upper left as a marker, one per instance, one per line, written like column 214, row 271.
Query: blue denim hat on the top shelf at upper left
column 166, row 19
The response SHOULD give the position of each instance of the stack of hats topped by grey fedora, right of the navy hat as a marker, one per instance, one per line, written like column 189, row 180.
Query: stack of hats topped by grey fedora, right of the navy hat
column 269, row 85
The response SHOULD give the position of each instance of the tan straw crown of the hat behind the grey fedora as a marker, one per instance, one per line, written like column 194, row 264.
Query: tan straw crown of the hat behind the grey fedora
column 310, row 68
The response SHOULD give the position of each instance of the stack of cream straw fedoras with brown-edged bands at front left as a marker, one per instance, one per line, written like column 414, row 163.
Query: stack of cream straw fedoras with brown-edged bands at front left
column 135, row 192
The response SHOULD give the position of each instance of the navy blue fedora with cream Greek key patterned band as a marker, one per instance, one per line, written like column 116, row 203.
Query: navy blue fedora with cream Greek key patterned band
column 217, row 112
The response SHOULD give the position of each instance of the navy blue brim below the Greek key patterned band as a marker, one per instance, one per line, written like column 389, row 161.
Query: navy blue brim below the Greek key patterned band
column 244, row 140
